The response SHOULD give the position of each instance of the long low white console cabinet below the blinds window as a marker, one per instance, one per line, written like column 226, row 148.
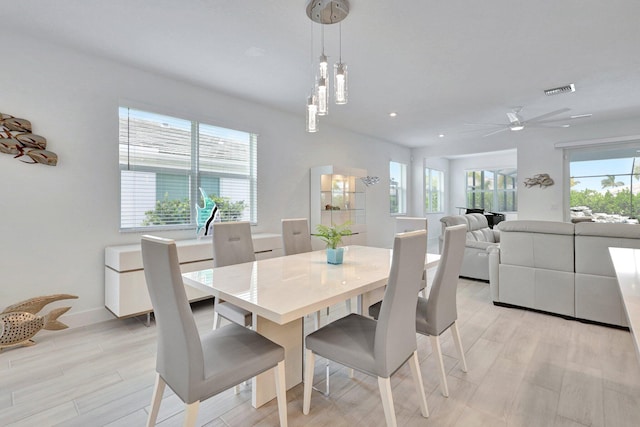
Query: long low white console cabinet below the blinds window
column 125, row 287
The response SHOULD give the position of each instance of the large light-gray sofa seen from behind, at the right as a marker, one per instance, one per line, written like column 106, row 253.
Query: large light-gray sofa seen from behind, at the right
column 561, row 268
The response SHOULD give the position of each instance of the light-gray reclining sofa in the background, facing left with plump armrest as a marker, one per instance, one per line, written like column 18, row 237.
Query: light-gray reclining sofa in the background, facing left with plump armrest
column 480, row 238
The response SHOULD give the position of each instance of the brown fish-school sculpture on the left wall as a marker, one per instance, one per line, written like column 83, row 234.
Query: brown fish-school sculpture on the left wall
column 16, row 139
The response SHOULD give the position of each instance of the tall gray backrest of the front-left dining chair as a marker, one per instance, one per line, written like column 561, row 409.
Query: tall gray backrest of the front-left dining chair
column 180, row 359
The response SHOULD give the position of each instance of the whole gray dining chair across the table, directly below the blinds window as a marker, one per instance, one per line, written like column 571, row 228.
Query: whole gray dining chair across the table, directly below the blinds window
column 232, row 244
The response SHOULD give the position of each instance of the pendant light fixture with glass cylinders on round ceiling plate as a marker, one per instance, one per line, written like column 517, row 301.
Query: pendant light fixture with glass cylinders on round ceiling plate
column 326, row 12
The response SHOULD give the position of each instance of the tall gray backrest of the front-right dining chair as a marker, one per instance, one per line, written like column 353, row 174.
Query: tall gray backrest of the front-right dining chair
column 395, row 337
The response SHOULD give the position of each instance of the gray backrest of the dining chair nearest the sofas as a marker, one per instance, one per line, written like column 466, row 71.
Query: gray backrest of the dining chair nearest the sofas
column 441, row 307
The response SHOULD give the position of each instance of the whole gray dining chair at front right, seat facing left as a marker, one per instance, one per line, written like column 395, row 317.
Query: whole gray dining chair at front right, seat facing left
column 379, row 348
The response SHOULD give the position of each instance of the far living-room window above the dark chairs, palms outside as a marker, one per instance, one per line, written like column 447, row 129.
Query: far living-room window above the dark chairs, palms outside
column 492, row 190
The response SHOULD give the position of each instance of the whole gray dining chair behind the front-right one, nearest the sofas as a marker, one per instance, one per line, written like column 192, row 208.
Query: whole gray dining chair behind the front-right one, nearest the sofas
column 439, row 312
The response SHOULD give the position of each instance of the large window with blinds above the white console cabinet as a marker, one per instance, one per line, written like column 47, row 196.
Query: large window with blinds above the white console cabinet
column 167, row 162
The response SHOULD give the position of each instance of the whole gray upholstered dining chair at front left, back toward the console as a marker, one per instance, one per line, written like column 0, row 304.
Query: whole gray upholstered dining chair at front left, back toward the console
column 198, row 367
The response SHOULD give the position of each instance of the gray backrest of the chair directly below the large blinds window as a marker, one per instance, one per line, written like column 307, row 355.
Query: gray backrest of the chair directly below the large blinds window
column 232, row 243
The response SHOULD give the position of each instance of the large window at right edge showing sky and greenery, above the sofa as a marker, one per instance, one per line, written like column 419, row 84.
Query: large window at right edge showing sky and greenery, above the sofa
column 604, row 184
